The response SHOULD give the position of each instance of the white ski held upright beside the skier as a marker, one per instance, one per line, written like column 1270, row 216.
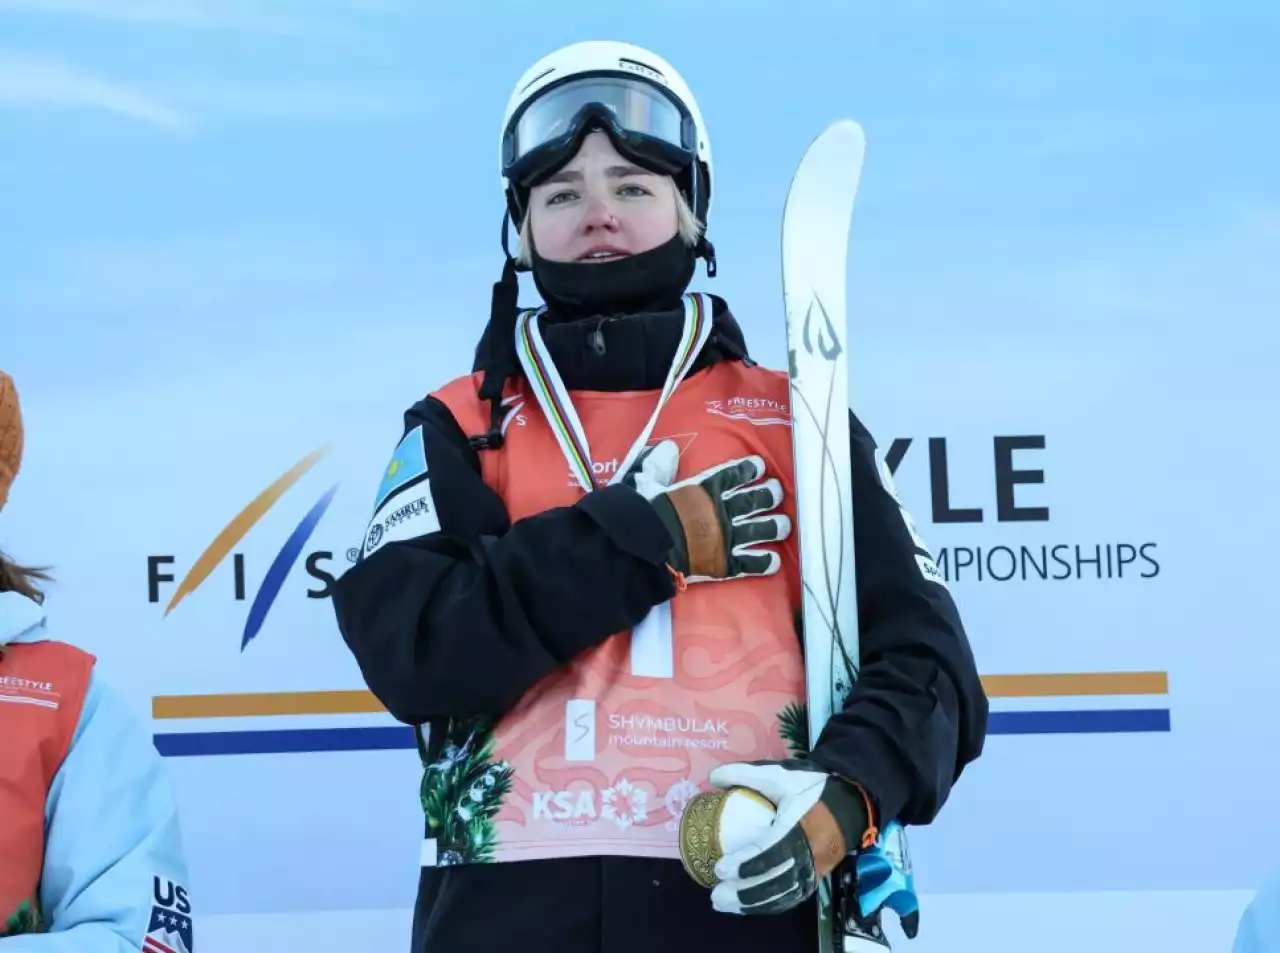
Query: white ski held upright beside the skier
column 816, row 226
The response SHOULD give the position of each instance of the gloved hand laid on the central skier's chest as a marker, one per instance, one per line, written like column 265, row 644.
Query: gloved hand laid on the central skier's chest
column 721, row 520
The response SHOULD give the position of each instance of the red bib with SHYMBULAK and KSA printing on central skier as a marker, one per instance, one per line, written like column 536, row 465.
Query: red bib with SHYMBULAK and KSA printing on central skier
column 602, row 757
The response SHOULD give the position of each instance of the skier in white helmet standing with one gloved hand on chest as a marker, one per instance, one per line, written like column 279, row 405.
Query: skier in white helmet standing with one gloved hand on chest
column 580, row 580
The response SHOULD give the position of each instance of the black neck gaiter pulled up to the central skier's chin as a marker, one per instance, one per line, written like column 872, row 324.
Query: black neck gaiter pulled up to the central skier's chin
column 652, row 281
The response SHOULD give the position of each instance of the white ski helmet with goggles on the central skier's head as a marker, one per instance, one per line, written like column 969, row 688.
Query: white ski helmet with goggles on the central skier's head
column 637, row 97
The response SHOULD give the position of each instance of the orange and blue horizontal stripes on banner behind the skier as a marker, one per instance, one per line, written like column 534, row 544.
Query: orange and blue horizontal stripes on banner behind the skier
column 1076, row 718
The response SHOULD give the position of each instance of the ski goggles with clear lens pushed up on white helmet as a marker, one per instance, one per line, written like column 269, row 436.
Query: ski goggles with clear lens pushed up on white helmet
column 647, row 126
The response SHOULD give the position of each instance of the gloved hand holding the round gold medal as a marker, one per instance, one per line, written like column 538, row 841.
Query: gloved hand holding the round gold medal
column 820, row 821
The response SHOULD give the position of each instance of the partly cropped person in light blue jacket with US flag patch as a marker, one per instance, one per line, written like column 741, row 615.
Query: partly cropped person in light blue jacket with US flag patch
column 92, row 858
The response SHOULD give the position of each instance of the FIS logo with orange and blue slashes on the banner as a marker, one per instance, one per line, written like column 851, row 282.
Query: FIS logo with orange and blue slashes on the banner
column 226, row 542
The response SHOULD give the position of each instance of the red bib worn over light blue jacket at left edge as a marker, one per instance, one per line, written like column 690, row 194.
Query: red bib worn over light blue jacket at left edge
column 43, row 689
